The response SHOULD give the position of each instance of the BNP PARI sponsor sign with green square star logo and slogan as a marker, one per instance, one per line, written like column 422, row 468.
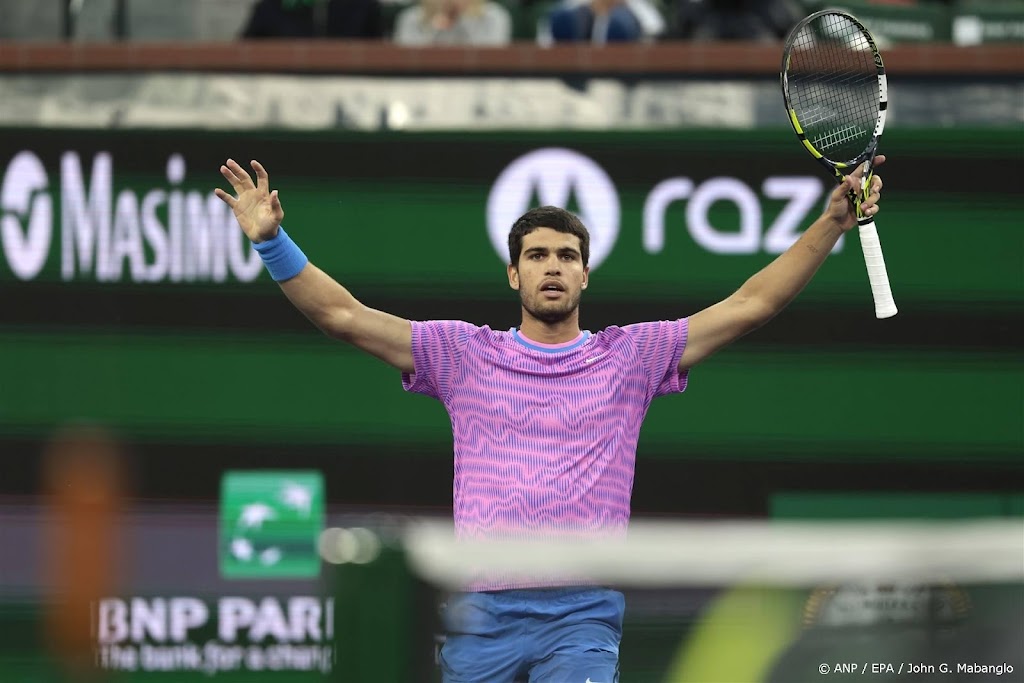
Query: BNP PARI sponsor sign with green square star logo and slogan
column 271, row 524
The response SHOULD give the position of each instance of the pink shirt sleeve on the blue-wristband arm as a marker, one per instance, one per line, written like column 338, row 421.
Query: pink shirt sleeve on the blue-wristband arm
column 438, row 351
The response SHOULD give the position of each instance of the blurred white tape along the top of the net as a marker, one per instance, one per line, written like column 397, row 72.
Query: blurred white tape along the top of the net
column 713, row 553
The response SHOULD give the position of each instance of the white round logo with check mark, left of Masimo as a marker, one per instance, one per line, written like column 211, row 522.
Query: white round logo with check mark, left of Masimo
column 21, row 198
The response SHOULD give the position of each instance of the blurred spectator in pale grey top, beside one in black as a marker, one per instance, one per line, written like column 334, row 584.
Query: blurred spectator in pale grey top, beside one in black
column 454, row 23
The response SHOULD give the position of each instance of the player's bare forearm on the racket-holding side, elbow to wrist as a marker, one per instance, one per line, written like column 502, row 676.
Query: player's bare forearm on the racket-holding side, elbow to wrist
column 778, row 284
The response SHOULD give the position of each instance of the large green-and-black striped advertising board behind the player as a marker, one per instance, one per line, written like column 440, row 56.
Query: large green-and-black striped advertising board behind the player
column 133, row 300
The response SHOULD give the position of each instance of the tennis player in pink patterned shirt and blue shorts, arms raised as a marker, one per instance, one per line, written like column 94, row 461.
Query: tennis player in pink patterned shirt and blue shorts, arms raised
column 545, row 417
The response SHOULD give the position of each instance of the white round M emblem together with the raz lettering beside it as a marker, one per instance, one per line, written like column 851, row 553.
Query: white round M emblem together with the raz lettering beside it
column 565, row 179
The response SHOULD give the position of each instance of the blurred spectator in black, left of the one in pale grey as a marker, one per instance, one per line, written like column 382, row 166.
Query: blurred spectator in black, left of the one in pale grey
column 312, row 19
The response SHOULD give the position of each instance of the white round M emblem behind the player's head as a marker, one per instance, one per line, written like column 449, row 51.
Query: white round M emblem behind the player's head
column 558, row 178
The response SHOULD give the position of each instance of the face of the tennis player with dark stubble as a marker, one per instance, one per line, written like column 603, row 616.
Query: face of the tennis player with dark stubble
column 551, row 276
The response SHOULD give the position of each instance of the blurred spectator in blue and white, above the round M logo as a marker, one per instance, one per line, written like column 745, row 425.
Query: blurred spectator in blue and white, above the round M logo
column 603, row 22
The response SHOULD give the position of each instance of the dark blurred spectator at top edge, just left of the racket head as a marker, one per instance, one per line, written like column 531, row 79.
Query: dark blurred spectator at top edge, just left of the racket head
column 736, row 20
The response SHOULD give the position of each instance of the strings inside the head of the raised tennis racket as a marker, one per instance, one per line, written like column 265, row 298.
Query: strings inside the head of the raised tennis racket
column 834, row 87
